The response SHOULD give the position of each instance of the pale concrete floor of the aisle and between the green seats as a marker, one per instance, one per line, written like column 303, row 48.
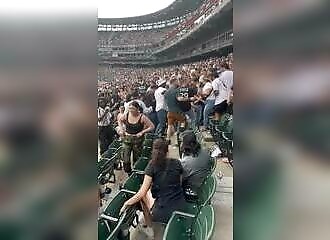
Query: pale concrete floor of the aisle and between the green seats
column 222, row 200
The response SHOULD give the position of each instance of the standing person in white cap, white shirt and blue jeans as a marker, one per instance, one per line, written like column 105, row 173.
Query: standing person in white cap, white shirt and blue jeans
column 161, row 108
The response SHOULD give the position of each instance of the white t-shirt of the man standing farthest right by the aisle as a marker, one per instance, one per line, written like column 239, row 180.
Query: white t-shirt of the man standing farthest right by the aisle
column 223, row 85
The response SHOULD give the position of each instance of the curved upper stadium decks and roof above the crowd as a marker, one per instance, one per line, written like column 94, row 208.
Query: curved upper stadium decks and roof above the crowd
column 187, row 30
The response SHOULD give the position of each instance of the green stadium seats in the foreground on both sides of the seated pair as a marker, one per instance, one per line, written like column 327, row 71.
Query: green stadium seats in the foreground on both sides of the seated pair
column 197, row 222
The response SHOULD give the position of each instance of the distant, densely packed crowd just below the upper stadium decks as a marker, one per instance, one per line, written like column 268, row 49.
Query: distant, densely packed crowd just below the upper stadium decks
column 118, row 85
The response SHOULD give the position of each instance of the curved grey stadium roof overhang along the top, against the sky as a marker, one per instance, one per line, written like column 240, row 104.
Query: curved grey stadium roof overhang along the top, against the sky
column 177, row 8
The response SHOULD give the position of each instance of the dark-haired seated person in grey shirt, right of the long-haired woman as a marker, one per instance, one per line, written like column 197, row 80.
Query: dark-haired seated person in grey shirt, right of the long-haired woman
column 196, row 162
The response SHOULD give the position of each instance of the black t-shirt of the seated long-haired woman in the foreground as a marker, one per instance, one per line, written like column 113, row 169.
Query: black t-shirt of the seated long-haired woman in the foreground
column 166, row 181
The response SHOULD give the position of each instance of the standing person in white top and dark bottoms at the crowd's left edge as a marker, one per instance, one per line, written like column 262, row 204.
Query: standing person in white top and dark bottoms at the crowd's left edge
column 106, row 132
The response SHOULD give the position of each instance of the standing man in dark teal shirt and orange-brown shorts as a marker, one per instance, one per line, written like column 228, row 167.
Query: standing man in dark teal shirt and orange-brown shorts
column 175, row 114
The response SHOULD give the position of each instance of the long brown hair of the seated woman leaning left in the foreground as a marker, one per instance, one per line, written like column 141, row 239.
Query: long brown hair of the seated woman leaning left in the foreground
column 159, row 153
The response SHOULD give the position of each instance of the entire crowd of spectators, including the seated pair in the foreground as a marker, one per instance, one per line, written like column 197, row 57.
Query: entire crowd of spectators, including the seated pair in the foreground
column 138, row 101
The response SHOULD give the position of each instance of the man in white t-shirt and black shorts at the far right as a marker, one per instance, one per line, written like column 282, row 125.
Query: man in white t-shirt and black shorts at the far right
column 222, row 90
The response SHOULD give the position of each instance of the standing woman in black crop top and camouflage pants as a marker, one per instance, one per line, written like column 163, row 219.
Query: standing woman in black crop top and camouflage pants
column 132, row 127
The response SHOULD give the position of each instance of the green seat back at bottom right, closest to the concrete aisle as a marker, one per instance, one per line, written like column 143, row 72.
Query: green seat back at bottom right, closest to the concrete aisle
column 203, row 227
